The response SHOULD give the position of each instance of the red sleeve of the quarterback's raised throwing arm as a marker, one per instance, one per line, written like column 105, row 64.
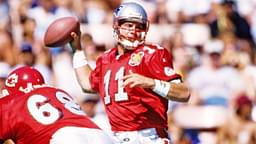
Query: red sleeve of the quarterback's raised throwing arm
column 95, row 75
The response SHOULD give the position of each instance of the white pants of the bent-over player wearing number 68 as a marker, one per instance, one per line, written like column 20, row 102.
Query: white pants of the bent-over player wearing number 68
column 78, row 135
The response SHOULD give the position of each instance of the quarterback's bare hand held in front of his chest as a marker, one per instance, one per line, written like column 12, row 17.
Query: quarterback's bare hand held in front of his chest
column 134, row 79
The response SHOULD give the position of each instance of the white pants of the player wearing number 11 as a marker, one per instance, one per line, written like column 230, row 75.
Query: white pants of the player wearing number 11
column 145, row 136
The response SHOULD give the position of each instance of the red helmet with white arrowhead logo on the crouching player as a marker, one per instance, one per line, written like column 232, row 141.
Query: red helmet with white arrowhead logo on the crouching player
column 22, row 80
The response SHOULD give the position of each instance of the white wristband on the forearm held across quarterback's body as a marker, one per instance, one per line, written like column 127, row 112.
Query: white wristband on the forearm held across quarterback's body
column 161, row 87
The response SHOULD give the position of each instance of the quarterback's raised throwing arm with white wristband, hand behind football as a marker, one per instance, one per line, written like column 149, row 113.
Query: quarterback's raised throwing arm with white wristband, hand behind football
column 81, row 67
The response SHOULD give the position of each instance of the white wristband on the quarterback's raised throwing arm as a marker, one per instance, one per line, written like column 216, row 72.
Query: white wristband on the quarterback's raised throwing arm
column 79, row 59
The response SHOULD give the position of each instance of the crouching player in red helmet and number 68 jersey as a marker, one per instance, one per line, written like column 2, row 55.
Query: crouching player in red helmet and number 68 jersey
column 33, row 113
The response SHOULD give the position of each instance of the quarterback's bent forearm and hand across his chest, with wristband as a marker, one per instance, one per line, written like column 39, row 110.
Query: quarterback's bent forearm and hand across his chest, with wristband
column 174, row 90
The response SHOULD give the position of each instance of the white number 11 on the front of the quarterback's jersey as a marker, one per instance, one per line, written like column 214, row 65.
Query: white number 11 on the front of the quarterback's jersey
column 120, row 95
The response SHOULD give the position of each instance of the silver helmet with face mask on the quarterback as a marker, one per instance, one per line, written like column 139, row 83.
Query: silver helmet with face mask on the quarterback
column 130, row 12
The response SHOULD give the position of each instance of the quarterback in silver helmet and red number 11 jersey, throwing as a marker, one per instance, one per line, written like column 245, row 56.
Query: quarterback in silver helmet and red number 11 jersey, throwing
column 134, row 80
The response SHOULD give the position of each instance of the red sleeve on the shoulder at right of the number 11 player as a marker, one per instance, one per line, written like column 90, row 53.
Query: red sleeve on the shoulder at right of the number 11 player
column 160, row 65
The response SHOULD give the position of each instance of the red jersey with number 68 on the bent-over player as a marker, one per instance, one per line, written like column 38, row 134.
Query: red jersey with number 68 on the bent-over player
column 34, row 117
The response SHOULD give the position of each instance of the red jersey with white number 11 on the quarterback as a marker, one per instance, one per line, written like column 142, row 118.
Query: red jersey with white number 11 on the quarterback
column 135, row 108
